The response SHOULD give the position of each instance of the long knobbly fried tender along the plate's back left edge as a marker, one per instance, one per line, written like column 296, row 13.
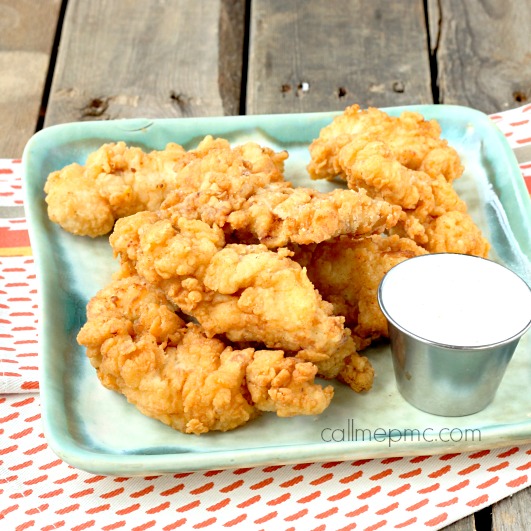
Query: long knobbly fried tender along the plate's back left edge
column 118, row 180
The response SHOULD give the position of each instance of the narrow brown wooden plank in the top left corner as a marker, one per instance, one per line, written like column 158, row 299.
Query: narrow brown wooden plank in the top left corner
column 27, row 30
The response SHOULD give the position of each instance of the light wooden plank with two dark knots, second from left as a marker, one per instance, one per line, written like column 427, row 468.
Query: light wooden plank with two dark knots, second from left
column 153, row 59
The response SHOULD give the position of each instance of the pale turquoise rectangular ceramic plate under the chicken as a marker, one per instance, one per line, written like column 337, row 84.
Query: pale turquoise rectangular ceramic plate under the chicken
column 97, row 430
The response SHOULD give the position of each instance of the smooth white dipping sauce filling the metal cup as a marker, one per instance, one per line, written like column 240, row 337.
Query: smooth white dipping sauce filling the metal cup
column 456, row 300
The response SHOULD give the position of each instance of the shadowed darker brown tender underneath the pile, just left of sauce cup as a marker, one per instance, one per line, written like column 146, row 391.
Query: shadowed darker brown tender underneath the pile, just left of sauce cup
column 347, row 272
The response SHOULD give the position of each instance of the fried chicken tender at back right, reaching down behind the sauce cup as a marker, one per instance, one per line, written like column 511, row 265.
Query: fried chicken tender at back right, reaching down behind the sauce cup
column 404, row 161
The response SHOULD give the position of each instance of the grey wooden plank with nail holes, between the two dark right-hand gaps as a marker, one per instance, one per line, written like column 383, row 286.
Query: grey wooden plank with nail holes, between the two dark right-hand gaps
column 309, row 55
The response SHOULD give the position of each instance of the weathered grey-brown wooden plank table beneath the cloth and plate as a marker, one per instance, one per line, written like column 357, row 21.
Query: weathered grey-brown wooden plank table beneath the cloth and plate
column 75, row 60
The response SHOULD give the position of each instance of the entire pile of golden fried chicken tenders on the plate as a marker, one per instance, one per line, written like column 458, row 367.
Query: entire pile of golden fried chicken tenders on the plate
column 235, row 289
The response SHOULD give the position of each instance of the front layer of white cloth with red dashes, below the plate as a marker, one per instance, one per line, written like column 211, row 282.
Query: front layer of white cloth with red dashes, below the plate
column 38, row 488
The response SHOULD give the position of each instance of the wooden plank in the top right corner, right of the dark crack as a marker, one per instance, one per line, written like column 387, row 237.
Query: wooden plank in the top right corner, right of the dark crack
column 482, row 51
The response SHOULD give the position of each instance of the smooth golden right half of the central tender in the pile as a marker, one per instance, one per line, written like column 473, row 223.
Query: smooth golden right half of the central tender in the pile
column 267, row 282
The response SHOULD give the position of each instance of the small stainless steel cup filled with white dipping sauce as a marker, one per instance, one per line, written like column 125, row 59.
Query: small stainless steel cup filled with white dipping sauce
column 454, row 323
